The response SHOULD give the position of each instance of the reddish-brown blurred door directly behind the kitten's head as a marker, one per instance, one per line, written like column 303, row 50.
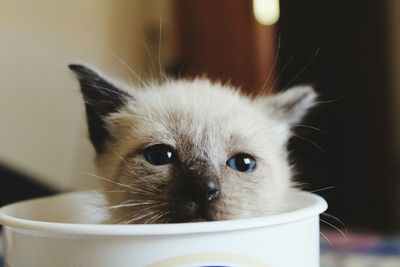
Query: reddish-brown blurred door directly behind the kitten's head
column 223, row 40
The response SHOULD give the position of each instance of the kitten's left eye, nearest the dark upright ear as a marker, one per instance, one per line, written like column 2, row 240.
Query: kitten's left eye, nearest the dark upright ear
column 159, row 154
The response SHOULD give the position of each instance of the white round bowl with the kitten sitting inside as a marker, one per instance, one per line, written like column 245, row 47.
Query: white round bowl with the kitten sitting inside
column 40, row 233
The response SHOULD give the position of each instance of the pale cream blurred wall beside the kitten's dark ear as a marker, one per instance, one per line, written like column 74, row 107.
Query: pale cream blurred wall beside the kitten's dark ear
column 42, row 127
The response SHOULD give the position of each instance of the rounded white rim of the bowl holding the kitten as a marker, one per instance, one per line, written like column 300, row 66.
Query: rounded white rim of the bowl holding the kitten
column 318, row 206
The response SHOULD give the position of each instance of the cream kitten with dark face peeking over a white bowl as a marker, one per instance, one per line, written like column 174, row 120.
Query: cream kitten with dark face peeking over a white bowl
column 185, row 151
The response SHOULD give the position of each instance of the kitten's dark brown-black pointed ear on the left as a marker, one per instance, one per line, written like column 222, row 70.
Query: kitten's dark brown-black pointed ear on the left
column 101, row 99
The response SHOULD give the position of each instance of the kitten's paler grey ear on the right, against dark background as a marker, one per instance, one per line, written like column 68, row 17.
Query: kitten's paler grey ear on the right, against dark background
column 292, row 105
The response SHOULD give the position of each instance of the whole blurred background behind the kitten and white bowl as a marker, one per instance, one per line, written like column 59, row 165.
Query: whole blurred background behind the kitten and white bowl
column 347, row 150
